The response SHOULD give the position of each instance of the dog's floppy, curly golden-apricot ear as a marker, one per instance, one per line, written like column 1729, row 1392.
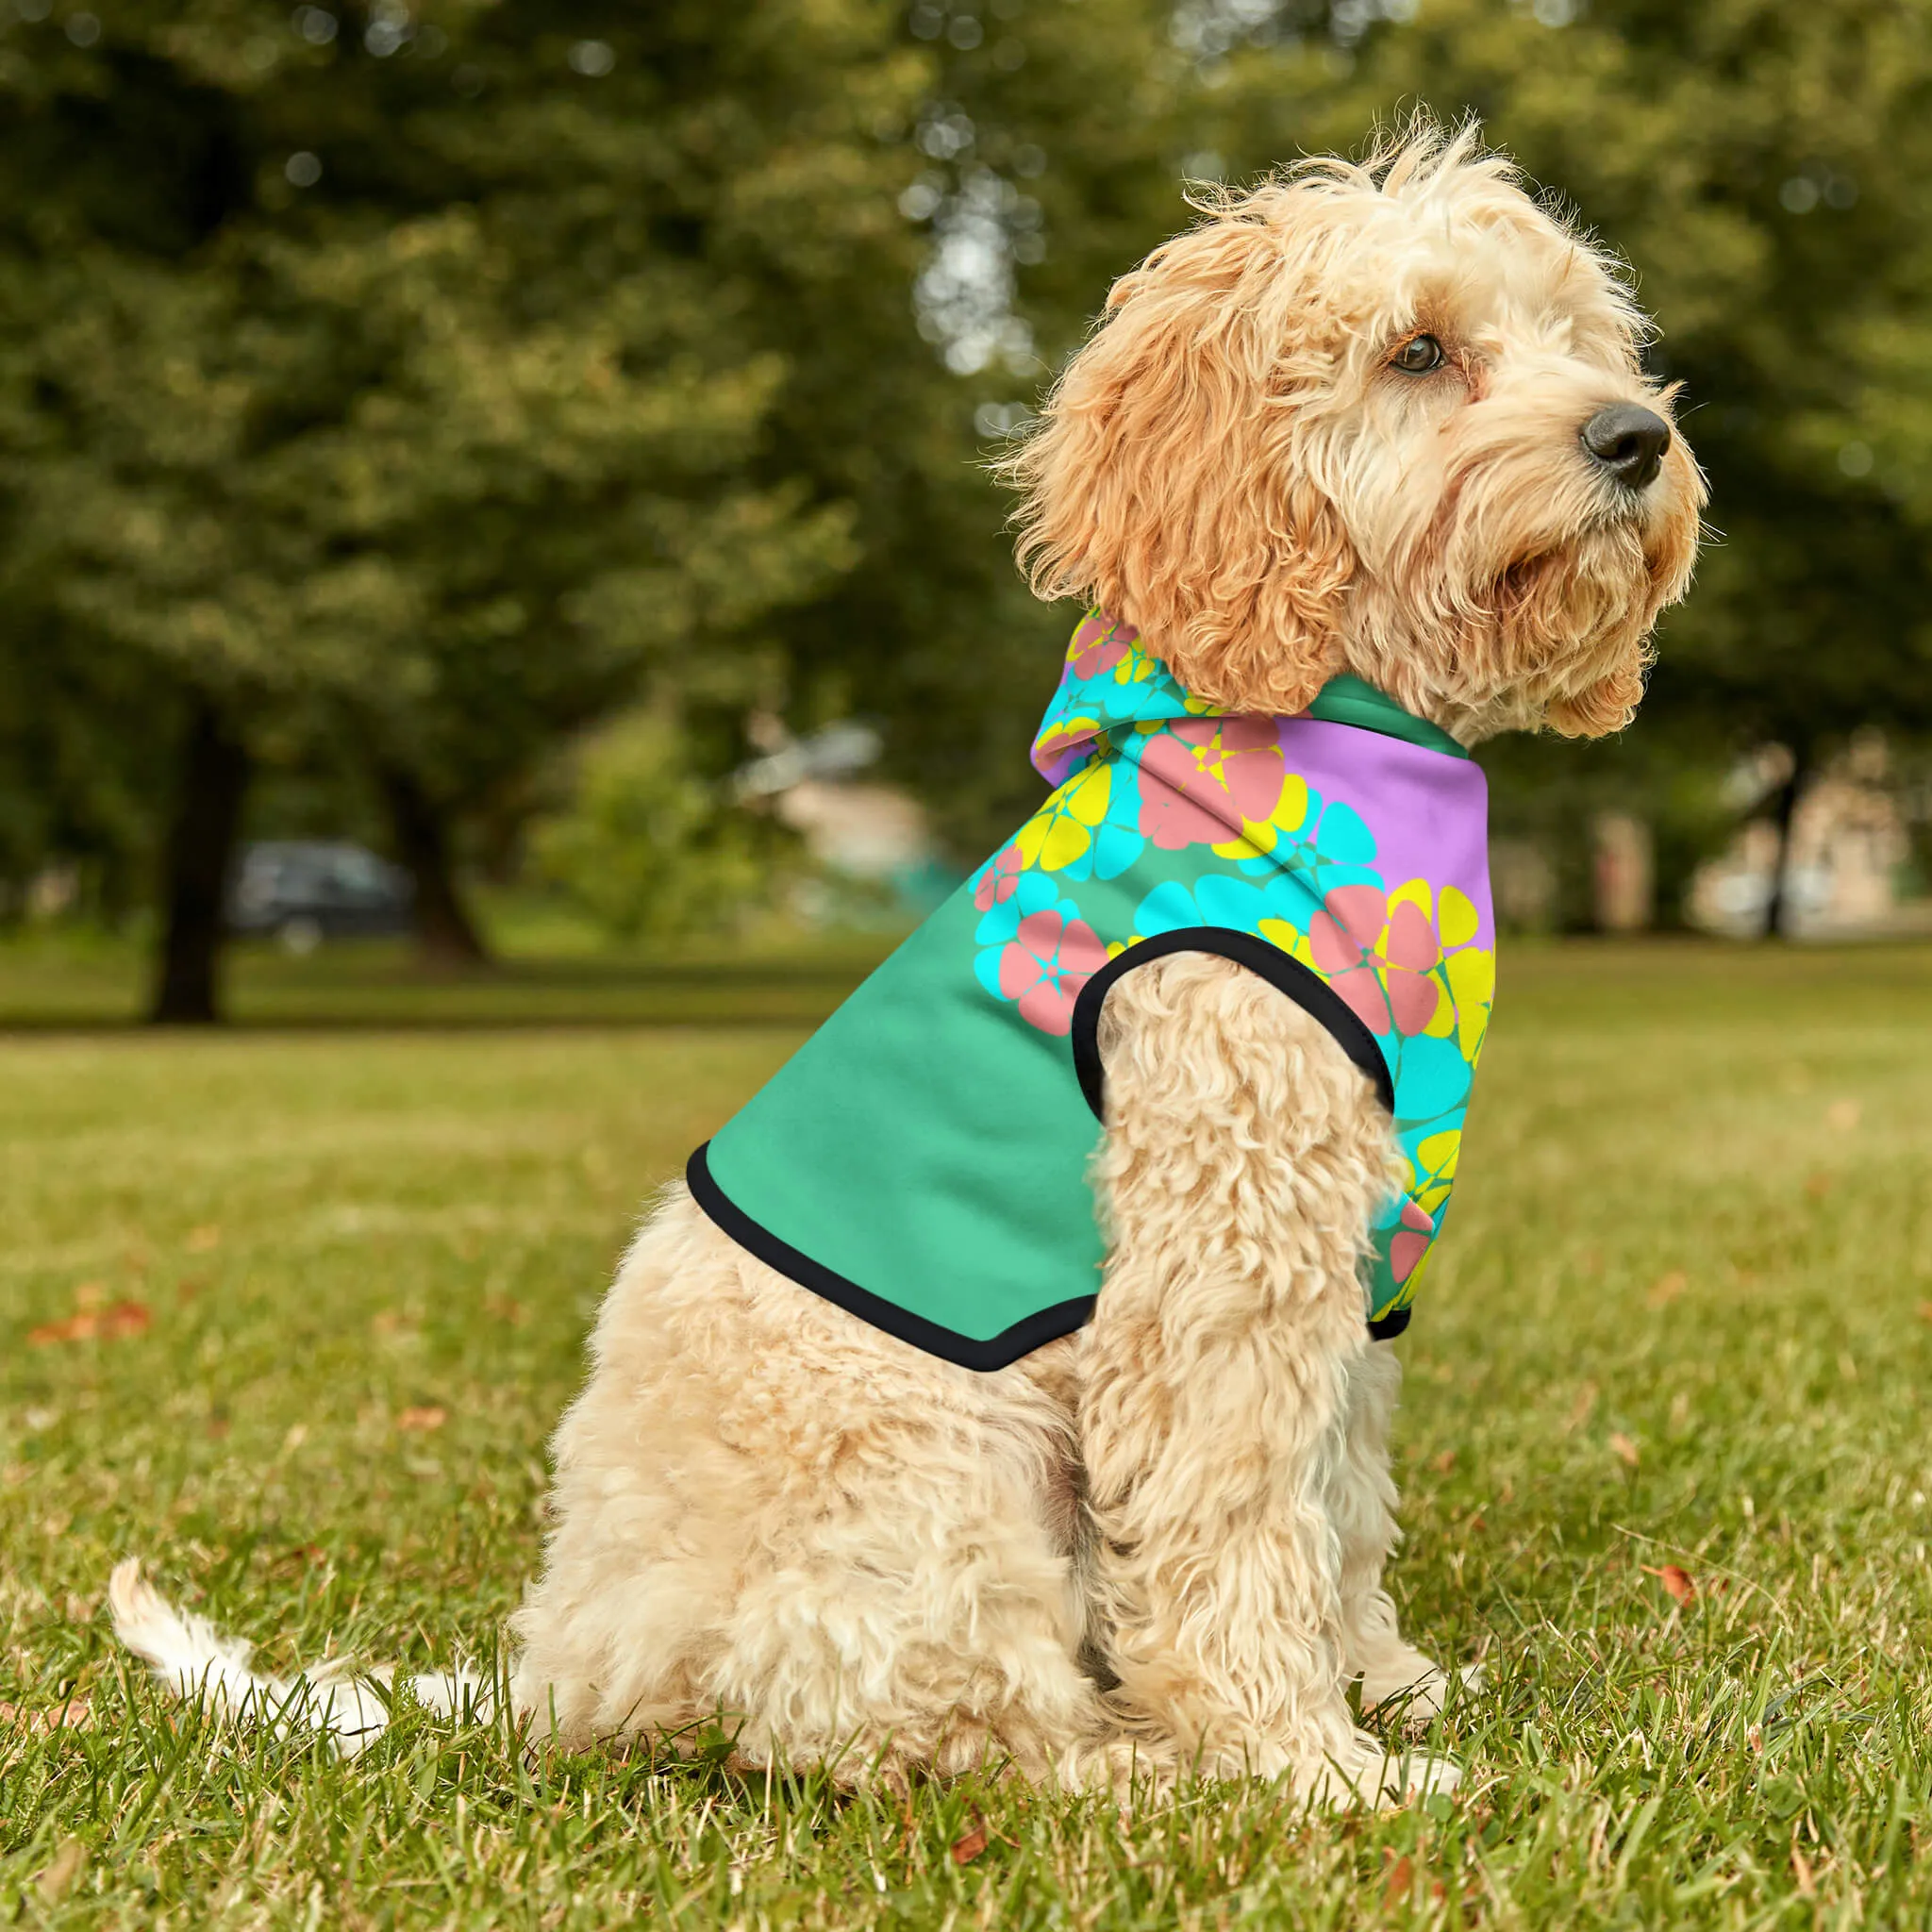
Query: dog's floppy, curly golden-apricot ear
column 1168, row 482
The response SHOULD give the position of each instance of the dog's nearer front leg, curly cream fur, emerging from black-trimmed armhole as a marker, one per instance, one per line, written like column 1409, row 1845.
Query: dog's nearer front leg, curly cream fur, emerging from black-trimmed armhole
column 1243, row 1160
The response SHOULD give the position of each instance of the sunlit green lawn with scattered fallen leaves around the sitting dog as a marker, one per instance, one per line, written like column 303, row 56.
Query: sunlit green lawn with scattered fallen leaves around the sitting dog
column 1680, row 1321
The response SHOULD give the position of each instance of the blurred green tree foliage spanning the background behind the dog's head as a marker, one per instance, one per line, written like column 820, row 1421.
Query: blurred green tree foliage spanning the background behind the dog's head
column 403, row 391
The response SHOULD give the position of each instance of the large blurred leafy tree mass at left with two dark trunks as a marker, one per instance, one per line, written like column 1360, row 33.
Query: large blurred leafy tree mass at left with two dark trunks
column 385, row 382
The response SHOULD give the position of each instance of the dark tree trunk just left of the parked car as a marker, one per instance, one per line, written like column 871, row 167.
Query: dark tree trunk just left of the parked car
column 202, row 843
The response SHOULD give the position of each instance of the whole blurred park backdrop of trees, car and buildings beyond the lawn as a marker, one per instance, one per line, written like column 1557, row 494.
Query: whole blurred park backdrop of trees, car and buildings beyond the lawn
column 494, row 503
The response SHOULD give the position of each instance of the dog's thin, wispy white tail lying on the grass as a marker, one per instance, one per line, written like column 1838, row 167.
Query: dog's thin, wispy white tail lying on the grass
column 196, row 1662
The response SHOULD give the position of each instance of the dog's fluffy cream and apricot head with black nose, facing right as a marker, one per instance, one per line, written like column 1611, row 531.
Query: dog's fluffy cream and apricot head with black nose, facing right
column 1382, row 418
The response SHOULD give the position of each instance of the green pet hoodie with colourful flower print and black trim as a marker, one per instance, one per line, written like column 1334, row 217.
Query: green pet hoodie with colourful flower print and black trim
column 923, row 1160
